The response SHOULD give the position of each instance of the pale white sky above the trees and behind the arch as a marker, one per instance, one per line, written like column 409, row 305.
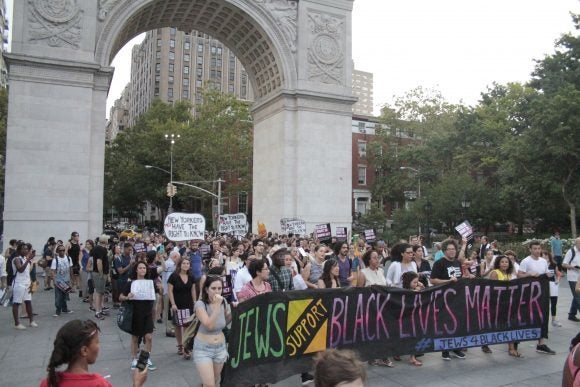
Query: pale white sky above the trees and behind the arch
column 459, row 47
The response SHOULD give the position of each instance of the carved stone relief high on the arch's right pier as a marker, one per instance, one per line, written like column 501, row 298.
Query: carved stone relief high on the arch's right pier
column 325, row 49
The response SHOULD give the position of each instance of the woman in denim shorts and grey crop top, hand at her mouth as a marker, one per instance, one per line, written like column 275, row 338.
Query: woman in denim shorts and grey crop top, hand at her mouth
column 209, row 348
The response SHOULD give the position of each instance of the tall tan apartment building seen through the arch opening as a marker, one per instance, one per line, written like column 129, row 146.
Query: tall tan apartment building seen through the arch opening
column 173, row 65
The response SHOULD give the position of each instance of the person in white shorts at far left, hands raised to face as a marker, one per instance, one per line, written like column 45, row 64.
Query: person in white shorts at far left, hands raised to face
column 21, row 284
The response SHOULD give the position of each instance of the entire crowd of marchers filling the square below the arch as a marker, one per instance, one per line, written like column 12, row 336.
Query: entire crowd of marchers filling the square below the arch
column 169, row 283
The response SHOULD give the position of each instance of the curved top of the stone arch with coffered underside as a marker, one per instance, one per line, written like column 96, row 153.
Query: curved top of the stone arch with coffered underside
column 248, row 28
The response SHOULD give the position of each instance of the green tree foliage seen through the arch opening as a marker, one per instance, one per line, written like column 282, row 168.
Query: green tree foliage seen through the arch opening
column 217, row 143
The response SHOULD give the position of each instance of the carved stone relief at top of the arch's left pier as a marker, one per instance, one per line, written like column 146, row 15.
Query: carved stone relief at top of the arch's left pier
column 56, row 23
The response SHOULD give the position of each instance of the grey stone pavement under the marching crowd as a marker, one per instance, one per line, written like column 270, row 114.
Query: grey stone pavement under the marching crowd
column 25, row 354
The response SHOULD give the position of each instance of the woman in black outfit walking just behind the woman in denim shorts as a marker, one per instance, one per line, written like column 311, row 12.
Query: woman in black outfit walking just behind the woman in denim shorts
column 181, row 292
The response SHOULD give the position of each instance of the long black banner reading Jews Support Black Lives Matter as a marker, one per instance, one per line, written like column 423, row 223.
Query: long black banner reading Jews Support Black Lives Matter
column 275, row 335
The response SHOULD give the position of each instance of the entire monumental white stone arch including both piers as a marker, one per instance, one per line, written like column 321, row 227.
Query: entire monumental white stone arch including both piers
column 298, row 58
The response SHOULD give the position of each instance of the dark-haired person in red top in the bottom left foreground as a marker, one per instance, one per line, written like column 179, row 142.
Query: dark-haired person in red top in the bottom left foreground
column 77, row 345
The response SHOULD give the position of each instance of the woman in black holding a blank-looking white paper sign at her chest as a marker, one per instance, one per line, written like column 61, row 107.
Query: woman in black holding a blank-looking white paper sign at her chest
column 140, row 291
